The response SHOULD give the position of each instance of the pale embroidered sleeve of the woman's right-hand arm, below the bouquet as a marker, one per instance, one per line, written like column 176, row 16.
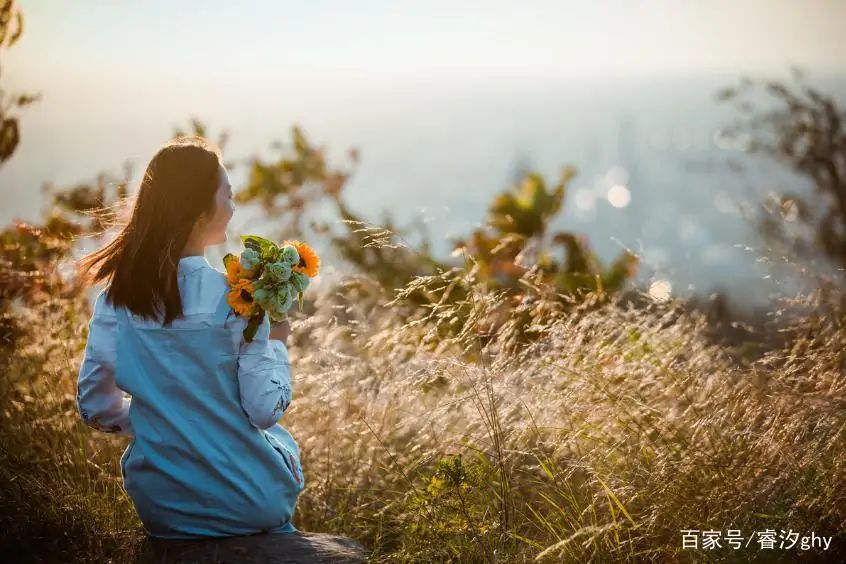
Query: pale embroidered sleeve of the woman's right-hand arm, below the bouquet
column 264, row 376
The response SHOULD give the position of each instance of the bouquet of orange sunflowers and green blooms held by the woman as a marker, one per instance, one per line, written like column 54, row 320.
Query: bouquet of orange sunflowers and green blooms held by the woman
column 267, row 277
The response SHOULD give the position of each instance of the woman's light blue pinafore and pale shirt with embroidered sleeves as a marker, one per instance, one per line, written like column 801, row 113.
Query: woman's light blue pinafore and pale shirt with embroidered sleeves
column 208, row 456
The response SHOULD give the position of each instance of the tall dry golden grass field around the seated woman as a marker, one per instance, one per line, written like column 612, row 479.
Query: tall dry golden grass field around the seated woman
column 616, row 428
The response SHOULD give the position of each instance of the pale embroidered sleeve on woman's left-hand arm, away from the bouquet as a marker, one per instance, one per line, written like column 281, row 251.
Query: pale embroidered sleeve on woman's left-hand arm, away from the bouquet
column 100, row 403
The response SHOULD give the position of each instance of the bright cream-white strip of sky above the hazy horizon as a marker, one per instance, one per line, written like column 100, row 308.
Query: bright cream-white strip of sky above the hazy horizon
column 158, row 39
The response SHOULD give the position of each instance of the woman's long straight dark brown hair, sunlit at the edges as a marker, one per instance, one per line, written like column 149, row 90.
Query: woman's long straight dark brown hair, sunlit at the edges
column 141, row 262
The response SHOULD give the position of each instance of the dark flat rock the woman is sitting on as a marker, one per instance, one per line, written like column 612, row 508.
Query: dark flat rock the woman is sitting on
column 281, row 548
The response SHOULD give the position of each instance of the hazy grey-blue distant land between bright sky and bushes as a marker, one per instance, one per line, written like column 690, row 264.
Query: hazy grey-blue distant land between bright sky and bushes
column 440, row 155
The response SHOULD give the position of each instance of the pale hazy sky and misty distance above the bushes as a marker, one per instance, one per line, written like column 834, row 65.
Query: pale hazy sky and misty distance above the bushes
column 449, row 104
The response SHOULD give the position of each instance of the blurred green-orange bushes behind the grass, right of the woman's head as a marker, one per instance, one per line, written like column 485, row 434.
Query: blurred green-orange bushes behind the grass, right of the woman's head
column 510, row 248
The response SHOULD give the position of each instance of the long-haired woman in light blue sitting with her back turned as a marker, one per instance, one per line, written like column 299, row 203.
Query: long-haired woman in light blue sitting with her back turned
column 207, row 457
